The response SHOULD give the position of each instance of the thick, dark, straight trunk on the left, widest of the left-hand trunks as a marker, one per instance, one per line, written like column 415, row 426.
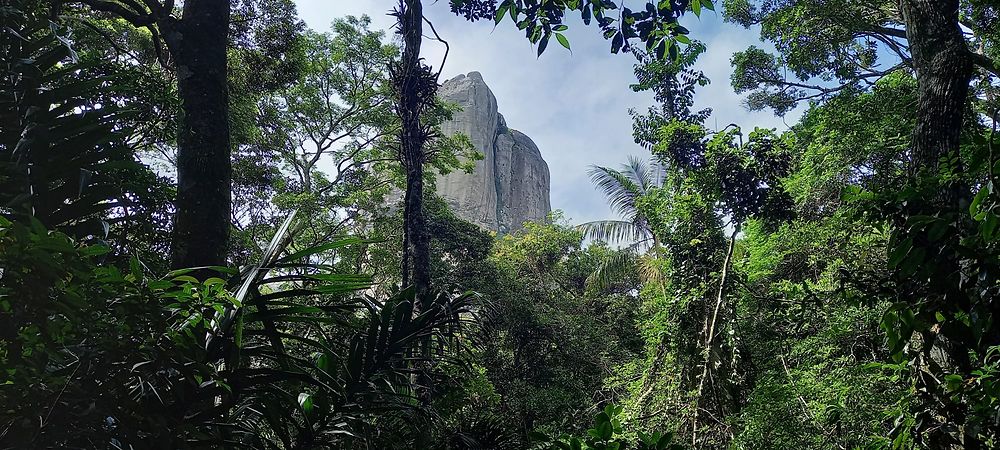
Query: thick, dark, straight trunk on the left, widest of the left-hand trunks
column 198, row 43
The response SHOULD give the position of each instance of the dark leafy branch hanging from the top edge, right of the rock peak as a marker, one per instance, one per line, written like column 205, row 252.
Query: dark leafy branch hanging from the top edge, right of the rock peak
column 655, row 27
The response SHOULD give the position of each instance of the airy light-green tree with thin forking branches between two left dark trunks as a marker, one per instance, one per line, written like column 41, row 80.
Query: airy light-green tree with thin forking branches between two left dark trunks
column 329, row 130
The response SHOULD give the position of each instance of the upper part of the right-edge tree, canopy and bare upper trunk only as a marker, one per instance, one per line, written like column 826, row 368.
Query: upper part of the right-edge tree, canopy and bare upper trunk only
column 843, row 41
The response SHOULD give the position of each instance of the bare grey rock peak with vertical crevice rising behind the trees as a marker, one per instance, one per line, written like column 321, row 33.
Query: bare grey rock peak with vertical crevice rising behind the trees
column 510, row 185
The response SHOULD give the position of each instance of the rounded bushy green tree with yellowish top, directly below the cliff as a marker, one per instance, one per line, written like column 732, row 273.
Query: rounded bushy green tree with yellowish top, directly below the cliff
column 546, row 341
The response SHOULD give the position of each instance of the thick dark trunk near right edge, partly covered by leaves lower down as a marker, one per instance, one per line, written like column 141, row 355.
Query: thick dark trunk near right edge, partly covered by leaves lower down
column 944, row 70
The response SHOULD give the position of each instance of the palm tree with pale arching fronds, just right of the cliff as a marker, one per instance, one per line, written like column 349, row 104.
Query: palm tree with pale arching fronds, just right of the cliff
column 623, row 188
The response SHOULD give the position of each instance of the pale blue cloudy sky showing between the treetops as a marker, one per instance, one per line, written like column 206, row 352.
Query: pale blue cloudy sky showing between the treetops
column 573, row 105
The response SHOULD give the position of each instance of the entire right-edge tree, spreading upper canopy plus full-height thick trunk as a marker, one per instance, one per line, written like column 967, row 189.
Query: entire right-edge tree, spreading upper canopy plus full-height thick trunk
column 949, row 63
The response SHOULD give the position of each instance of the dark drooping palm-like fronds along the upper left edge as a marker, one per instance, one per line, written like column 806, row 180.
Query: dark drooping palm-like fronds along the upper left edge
column 62, row 157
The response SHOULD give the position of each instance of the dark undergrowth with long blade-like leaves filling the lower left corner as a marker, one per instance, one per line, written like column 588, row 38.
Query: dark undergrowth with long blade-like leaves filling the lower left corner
column 184, row 361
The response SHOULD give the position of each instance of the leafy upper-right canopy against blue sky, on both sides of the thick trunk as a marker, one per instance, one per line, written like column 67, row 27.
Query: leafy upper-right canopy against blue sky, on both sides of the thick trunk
column 824, row 48
